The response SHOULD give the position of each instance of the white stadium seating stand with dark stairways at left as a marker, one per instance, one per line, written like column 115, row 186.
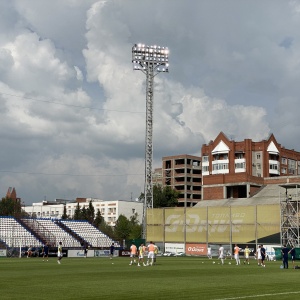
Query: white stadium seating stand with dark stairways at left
column 71, row 233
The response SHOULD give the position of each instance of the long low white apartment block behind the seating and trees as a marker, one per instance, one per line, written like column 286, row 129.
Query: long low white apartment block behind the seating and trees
column 110, row 210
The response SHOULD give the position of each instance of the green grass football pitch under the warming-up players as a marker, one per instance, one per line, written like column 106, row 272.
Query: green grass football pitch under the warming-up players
column 172, row 278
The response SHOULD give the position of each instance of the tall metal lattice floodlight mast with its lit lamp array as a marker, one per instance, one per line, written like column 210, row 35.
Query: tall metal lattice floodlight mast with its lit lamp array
column 151, row 60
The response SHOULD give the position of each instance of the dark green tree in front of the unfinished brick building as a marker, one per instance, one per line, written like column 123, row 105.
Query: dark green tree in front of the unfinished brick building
column 164, row 196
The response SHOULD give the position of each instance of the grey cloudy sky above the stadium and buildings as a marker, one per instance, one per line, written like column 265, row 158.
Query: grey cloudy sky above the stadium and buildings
column 72, row 109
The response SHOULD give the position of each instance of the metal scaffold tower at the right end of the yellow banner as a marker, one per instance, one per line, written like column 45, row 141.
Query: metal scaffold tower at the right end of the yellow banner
column 289, row 206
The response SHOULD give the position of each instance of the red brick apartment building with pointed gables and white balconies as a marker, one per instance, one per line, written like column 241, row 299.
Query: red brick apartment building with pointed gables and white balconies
column 239, row 169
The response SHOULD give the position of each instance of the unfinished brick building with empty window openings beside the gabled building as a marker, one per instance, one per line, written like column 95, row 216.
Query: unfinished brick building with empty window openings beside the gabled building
column 183, row 173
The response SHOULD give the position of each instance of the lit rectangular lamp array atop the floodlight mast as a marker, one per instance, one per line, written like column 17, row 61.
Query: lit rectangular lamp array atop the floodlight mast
column 143, row 56
